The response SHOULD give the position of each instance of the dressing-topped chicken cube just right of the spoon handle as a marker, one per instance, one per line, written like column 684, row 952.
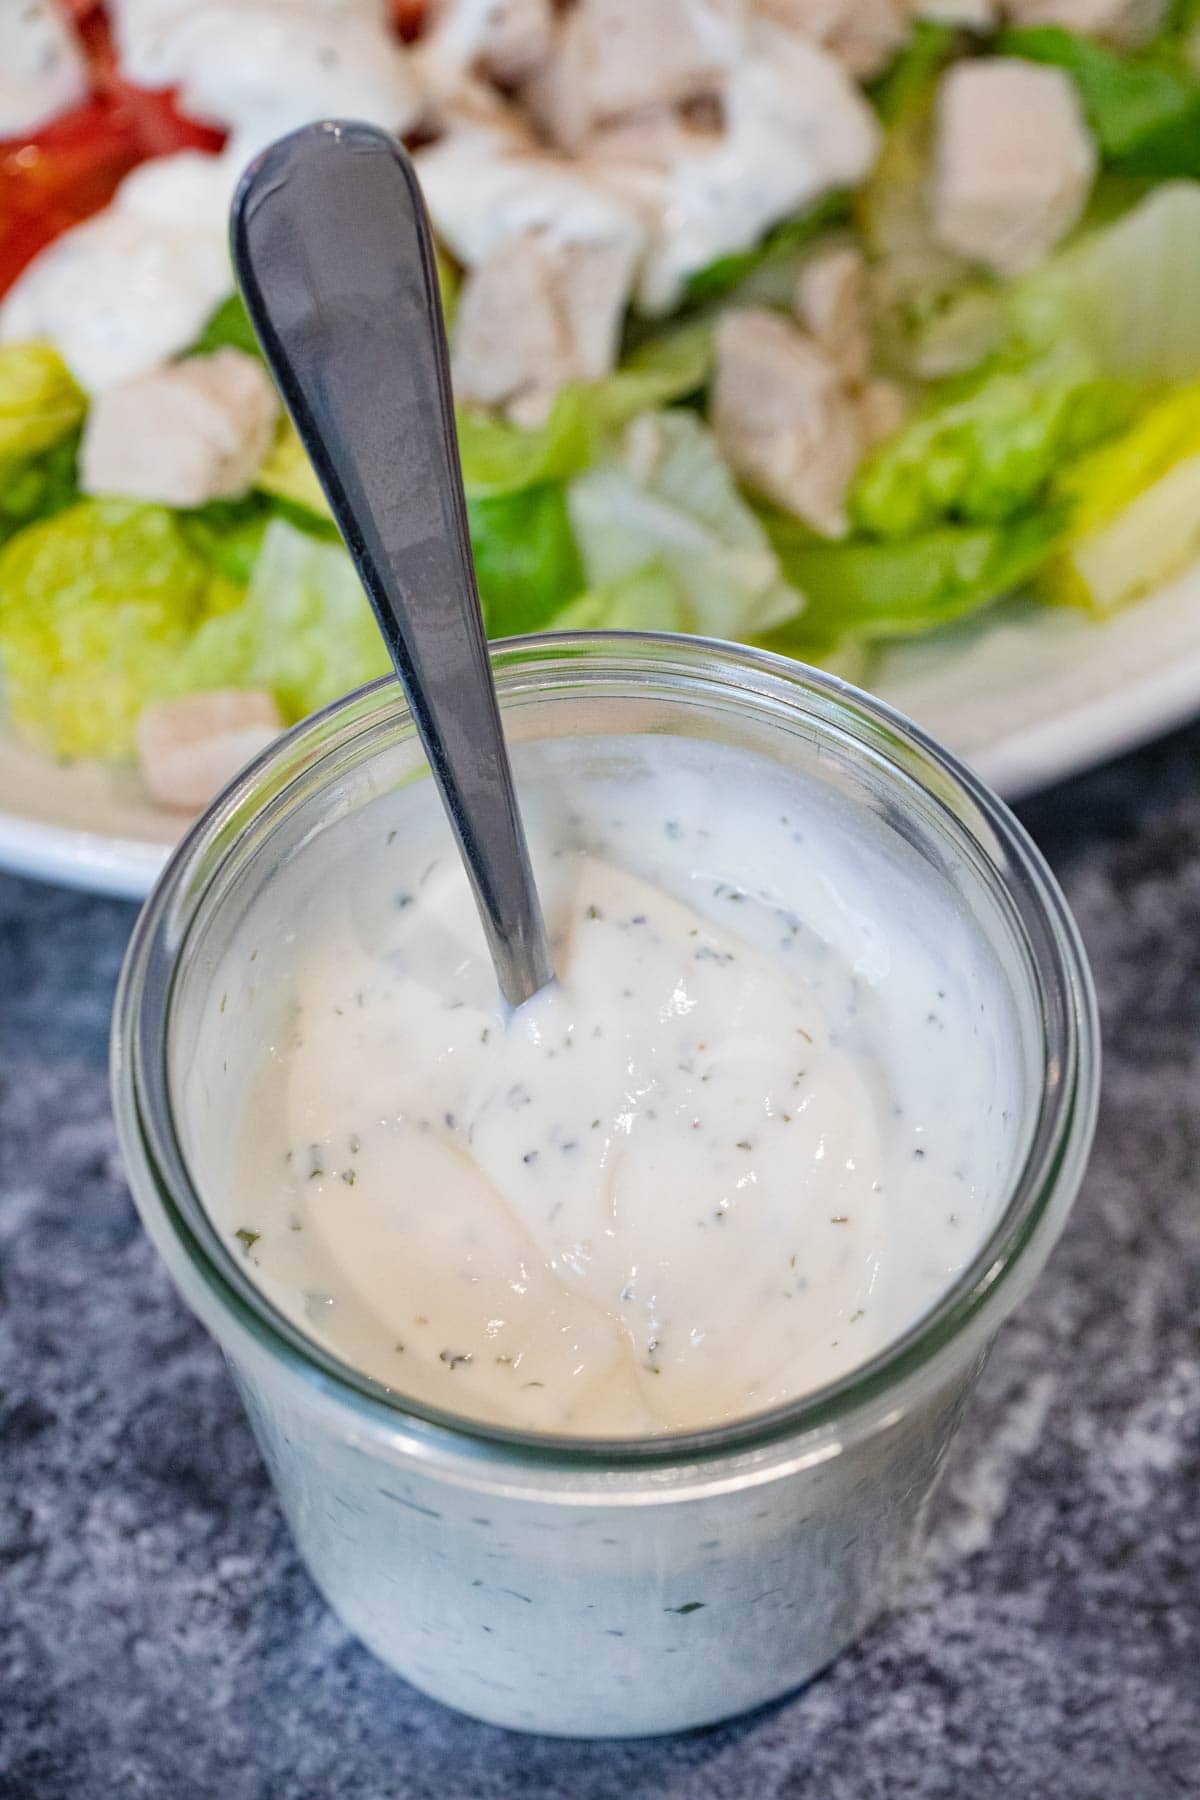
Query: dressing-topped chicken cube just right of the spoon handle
column 535, row 316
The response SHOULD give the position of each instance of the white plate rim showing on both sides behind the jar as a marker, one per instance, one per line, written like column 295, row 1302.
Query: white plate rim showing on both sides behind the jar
column 1026, row 696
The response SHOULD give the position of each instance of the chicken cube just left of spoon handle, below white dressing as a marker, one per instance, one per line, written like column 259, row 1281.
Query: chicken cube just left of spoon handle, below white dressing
column 183, row 436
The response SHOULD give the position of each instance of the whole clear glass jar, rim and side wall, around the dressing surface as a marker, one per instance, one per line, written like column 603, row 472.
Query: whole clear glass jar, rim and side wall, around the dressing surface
column 559, row 1585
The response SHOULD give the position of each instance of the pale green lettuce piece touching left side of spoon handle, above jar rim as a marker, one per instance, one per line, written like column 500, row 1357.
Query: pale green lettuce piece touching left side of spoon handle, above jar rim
column 305, row 629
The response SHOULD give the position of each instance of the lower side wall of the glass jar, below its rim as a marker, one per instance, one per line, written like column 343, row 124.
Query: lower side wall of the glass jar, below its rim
column 607, row 1621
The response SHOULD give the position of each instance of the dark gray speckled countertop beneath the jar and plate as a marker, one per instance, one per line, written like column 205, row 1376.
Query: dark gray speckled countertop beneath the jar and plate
column 159, row 1637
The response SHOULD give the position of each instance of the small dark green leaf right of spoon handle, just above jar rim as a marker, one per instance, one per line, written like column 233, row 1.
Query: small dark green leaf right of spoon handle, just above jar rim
column 526, row 559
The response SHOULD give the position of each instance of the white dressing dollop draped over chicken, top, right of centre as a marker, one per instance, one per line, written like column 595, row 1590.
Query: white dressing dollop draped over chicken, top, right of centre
column 794, row 129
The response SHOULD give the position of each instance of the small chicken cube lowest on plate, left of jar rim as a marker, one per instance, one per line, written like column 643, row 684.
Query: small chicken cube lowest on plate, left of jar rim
column 193, row 746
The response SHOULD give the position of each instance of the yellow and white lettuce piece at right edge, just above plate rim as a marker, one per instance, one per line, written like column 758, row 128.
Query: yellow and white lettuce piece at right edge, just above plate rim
column 1134, row 508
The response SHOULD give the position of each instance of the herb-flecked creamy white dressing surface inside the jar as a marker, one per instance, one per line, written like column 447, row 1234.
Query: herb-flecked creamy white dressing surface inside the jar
column 742, row 1144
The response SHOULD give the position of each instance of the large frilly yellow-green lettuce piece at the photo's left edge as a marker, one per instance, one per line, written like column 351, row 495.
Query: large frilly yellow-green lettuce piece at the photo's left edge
column 96, row 609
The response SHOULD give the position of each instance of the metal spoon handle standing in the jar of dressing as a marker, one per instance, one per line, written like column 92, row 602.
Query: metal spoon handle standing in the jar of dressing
column 336, row 264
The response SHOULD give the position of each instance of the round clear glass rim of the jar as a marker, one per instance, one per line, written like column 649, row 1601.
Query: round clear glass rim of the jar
column 985, row 1290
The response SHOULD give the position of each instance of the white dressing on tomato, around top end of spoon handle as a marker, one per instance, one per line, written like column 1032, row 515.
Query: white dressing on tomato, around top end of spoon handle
column 134, row 287
